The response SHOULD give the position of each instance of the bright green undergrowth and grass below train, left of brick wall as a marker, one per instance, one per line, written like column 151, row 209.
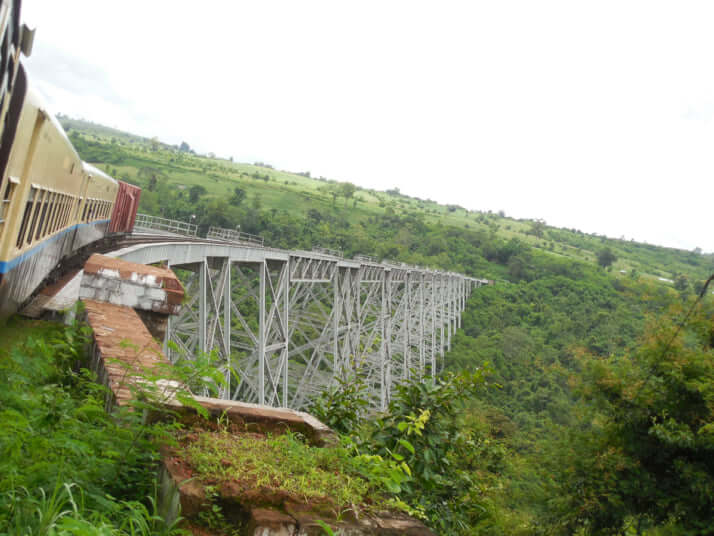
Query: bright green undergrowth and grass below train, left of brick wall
column 66, row 465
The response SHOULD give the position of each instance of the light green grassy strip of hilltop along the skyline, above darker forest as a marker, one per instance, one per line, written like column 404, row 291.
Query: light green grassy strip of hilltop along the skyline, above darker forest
column 125, row 156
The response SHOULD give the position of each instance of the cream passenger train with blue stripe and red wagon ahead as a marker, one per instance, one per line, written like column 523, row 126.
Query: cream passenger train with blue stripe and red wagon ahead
column 52, row 204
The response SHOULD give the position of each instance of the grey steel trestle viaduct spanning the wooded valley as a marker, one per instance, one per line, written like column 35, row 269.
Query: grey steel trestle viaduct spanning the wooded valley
column 289, row 323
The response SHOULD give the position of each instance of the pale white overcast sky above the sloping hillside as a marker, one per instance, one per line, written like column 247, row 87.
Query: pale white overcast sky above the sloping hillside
column 595, row 115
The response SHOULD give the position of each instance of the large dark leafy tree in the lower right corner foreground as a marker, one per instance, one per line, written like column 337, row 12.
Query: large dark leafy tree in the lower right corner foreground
column 648, row 458
